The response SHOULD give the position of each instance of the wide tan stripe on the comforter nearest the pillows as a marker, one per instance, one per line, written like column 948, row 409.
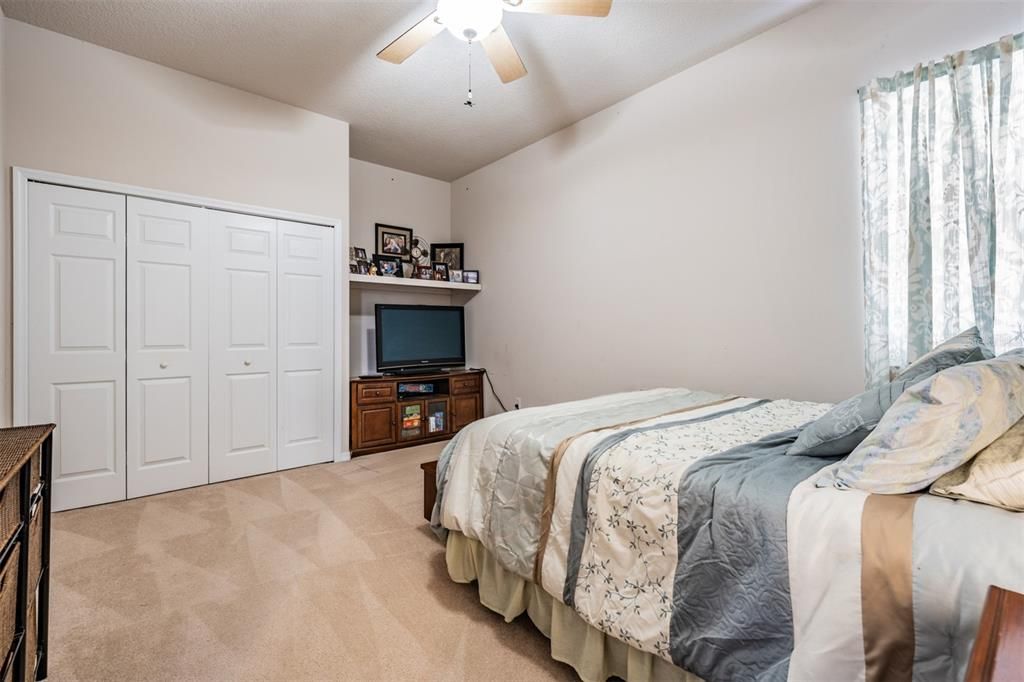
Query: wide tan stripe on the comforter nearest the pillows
column 886, row 589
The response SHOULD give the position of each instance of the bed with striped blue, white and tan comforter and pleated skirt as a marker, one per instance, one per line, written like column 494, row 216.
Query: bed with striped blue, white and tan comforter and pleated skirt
column 667, row 535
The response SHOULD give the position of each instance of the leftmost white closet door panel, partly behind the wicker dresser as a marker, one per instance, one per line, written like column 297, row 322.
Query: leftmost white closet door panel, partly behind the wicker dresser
column 77, row 338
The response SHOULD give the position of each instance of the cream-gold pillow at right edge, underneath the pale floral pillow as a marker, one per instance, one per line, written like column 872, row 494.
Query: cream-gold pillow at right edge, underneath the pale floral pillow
column 995, row 478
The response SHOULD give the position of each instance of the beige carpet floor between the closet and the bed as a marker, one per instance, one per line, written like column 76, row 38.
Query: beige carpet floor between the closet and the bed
column 325, row 573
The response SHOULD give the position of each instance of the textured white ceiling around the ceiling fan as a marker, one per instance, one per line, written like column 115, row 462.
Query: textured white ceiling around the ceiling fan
column 320, row 55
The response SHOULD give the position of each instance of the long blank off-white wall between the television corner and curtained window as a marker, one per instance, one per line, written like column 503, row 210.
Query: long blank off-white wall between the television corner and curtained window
column 705, row 233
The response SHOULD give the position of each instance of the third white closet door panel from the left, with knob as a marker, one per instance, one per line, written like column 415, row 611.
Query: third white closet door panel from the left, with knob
column 243, row 346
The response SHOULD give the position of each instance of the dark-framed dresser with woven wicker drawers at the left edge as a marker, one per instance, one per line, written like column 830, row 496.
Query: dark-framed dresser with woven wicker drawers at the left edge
column 25, row 532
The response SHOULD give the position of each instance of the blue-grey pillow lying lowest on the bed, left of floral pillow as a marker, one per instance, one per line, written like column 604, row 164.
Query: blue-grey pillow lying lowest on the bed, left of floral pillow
column 842, row 429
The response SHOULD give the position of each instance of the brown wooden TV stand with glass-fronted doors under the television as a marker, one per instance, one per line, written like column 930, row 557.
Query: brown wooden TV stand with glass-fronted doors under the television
column 399, row 412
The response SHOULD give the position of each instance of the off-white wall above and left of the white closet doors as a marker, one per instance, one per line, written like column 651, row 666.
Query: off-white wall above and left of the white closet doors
column 75, row 108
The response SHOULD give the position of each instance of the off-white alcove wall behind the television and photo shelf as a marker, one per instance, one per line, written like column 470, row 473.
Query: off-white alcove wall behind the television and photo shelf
column 392, row 197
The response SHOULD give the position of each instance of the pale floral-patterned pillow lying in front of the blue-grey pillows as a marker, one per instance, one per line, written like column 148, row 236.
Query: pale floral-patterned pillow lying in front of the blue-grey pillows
column 935, row 427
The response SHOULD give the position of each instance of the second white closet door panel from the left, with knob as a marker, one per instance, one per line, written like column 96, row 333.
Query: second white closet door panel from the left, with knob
column 168, row 339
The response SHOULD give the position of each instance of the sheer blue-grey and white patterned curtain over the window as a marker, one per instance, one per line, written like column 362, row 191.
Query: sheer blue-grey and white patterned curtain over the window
column 944, row 205
